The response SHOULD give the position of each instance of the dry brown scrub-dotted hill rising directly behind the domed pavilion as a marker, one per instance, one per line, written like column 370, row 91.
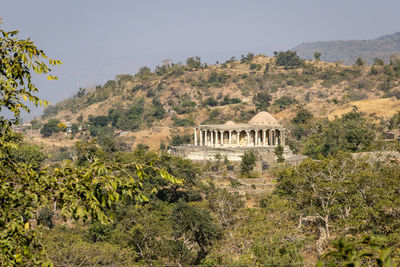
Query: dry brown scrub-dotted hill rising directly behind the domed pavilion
column 152, row 107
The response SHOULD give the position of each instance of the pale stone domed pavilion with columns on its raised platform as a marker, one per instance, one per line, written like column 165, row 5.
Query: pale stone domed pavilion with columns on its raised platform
column 262, row 134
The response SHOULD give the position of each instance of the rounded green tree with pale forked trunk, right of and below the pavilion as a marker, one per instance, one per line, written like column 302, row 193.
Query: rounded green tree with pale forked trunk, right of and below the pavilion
column 327, row 189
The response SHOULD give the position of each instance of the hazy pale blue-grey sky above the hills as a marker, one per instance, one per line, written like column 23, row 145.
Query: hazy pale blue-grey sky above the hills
column 97, row 39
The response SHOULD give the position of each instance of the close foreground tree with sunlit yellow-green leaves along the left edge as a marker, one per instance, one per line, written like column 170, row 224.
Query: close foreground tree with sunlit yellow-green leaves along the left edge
column 79, row 193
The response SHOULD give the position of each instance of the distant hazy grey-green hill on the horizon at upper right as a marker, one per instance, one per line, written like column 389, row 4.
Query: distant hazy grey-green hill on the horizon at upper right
column 348, row 51
